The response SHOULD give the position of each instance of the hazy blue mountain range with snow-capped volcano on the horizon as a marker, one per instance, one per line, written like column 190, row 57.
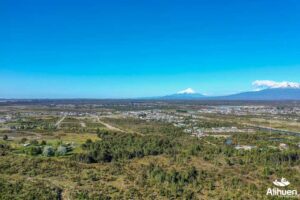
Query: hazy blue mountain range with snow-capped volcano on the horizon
column 266, row 94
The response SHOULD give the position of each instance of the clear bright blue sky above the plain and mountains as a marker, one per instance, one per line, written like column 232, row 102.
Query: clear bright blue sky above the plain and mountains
column 124, row 48
